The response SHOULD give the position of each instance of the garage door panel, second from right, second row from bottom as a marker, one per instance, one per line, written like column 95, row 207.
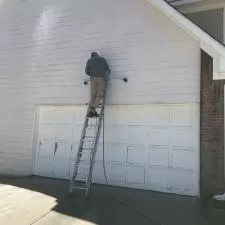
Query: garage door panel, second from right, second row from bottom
column 158, row 157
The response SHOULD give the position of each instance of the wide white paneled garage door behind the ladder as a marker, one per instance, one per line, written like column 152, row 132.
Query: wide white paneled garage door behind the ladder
column 154, row 147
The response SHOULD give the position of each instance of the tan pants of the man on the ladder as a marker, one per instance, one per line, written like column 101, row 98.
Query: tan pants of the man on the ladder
column 97, row 91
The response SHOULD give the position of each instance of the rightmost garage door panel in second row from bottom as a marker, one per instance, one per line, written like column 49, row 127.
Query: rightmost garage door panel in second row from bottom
column 183, row 159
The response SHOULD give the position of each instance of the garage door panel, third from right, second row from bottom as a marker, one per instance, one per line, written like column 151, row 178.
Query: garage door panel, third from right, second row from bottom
column 137, row 155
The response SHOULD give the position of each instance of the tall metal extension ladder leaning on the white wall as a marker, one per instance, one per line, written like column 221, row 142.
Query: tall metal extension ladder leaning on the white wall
column 88, row 146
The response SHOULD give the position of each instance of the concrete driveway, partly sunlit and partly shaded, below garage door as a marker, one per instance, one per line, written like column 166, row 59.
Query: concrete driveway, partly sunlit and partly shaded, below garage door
column 38, row 201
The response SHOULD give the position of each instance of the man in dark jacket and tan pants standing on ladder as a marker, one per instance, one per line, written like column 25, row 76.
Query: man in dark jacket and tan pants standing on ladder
column 97, row 68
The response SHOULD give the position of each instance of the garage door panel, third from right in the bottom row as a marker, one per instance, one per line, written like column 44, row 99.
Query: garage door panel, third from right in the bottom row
column 135, row 175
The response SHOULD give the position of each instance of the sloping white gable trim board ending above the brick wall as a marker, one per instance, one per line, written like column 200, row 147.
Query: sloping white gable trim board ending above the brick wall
column 207, row 43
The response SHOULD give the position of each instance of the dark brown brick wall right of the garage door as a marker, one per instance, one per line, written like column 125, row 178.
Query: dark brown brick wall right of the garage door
column 211, row 129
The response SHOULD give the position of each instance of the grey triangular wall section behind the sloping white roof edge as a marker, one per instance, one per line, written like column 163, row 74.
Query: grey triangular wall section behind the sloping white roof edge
column 211, row 21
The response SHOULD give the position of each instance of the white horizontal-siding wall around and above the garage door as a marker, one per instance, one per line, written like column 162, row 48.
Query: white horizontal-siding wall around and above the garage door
column 44, row 47
